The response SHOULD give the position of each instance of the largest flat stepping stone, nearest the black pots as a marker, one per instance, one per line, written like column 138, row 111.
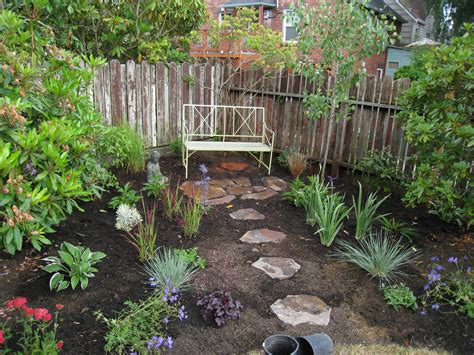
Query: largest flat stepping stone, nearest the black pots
column 299, row 309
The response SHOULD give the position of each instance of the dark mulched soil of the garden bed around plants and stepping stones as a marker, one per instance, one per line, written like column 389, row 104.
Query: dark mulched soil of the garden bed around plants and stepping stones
column 359, row 312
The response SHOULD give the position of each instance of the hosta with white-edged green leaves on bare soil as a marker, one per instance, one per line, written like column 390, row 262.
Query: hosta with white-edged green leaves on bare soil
column 73, row 266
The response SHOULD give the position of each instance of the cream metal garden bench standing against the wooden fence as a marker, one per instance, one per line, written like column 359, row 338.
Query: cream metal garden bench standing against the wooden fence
column 226, row 129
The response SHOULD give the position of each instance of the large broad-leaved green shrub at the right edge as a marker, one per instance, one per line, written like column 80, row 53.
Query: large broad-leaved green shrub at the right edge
column 437, row 121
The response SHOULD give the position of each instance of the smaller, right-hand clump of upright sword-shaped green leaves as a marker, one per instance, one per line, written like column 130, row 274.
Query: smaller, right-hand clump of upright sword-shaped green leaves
column 366, row 214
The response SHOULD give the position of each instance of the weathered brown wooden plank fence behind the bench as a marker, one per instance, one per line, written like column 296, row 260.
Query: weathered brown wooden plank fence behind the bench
column 150, row 97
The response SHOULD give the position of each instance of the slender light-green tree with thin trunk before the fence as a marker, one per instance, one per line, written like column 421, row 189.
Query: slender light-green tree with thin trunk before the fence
column 341, row 34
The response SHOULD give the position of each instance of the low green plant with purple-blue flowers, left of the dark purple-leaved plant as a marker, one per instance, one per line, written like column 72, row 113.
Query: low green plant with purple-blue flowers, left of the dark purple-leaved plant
column 137, row 324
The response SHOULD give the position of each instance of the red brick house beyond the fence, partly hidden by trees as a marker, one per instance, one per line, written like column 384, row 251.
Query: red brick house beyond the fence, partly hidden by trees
column 412, row 22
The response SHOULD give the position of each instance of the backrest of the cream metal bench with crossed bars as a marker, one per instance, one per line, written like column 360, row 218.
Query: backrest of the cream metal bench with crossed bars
column 223, row 122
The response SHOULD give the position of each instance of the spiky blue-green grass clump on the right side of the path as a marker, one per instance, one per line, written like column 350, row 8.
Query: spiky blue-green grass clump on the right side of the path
column 379, row 255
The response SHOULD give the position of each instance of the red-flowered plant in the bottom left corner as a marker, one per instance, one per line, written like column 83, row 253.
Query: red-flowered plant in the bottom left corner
column 37, row 331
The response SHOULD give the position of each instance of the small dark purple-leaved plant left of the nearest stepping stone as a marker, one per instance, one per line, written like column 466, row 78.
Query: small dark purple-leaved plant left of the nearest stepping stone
column 220, row 306
